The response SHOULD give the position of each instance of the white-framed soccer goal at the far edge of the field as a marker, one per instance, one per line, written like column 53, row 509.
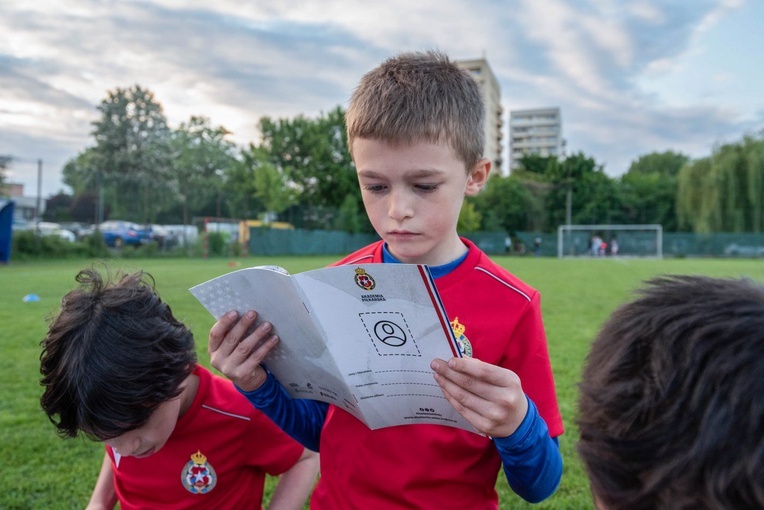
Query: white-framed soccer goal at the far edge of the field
column 610, row 240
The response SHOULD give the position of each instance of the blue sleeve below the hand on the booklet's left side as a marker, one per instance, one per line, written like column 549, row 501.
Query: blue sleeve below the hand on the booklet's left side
column 302, row 419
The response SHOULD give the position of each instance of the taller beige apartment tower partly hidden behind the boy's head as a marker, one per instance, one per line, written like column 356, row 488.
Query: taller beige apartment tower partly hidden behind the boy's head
column 493, row 110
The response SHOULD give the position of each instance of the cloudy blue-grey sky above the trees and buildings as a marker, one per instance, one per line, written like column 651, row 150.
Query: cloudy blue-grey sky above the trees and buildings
column 630, row 76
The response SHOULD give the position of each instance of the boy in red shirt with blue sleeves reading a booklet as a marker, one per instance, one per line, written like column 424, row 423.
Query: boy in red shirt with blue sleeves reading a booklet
column 415, row 131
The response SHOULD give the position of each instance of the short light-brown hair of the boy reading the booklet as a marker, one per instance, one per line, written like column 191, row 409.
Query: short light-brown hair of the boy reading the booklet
column 419, row 97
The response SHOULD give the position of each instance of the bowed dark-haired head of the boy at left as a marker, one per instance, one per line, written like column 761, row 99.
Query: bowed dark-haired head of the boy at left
column 114, row 362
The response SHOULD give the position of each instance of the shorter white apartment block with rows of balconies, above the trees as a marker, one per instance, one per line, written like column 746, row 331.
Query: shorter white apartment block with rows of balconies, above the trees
column 536, row 131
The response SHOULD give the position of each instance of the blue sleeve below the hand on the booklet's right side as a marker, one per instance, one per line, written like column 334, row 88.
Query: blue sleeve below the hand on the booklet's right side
column 531, row 459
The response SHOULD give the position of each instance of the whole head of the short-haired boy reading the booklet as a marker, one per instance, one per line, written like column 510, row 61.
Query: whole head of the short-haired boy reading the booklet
column 415, row 128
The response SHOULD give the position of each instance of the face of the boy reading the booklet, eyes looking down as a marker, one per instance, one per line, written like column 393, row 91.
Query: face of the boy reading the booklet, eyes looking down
column 413, row 194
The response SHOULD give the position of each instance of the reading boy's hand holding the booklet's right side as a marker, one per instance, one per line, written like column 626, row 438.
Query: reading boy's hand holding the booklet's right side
column 491, row 398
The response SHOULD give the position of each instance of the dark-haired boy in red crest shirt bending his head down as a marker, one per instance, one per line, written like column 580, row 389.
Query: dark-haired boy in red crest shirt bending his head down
column 118, row 367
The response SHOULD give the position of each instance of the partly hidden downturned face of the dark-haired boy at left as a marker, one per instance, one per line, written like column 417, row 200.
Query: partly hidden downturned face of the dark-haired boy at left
column 150, row 438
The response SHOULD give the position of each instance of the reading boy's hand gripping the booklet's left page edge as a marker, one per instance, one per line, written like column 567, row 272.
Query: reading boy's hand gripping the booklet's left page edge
column 237, row 354
